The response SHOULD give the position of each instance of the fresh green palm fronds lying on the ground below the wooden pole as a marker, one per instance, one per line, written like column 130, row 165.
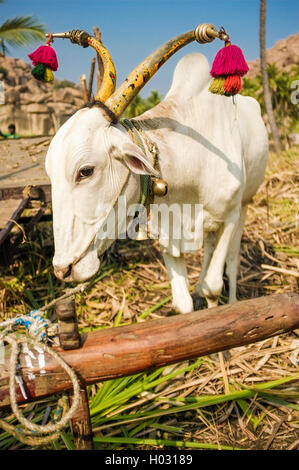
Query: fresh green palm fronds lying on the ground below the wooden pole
column 114, row 398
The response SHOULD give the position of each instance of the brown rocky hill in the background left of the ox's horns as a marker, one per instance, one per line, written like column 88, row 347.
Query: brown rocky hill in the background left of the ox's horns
column 35, row 108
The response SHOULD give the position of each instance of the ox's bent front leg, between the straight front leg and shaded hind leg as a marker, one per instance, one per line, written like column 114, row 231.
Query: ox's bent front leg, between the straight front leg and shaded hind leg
column 213, row 281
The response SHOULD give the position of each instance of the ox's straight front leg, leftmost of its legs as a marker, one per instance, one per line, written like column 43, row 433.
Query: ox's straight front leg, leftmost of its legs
column 181, row 298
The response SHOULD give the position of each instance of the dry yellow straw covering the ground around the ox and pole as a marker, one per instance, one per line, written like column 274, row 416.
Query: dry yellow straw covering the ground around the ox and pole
column 135, row 282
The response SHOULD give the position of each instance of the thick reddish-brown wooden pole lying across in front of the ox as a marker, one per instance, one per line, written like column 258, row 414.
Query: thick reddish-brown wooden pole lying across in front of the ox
column 128, row 350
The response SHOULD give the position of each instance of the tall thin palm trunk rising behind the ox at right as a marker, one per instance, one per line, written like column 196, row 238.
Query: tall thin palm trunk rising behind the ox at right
column 267, row 94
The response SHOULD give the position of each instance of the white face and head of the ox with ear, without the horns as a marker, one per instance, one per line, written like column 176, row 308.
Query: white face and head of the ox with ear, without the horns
column 90, row 162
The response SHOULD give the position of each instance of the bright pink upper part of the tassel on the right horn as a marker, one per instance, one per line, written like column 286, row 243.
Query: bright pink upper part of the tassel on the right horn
column 229, row 61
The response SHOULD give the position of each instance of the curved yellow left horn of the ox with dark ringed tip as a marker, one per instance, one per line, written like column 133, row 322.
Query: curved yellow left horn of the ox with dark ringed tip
column 84, row 39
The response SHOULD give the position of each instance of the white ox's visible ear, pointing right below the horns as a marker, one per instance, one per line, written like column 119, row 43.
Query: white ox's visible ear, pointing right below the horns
column 136, row 160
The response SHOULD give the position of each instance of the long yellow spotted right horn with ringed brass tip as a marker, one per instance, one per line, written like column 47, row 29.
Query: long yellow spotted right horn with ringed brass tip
column 121, row 98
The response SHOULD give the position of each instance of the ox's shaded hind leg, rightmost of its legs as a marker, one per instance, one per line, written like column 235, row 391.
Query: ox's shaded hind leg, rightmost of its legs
column 233, row 258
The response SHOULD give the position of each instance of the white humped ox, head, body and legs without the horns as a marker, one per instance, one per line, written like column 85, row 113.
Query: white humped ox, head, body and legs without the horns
column 212, row 151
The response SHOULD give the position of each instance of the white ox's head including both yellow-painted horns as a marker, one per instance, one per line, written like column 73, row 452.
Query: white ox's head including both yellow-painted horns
column 91, row 161
